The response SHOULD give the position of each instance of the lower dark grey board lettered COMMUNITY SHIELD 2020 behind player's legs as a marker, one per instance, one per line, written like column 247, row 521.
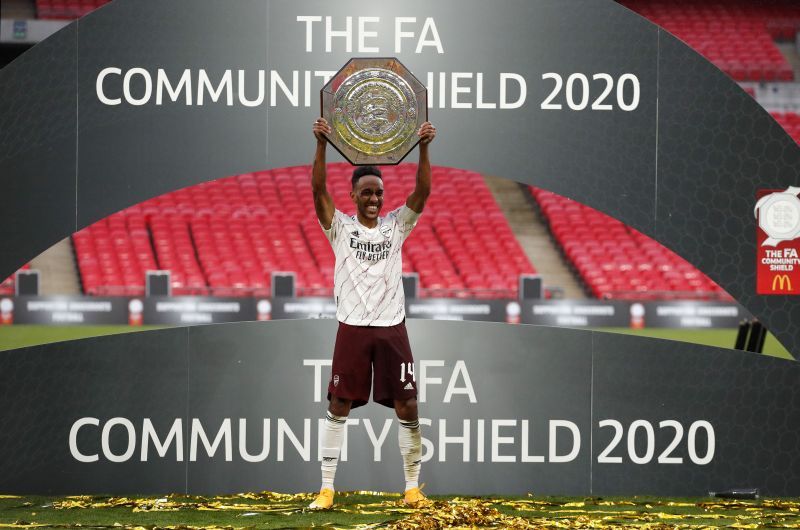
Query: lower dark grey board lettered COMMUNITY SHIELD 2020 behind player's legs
column 235, row 407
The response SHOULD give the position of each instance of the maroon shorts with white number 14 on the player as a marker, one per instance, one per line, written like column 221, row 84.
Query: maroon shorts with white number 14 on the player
column 362, row 350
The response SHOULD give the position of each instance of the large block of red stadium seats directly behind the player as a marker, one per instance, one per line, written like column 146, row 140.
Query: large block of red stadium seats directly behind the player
column 225, row 237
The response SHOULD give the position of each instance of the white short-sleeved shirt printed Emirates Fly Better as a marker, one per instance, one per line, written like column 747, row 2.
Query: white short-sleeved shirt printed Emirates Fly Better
column 368, row 279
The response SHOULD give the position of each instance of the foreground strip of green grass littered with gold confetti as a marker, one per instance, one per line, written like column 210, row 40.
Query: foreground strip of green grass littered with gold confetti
column 367, row 510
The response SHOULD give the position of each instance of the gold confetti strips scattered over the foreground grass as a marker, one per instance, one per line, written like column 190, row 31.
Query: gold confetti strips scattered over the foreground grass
column 462, row 512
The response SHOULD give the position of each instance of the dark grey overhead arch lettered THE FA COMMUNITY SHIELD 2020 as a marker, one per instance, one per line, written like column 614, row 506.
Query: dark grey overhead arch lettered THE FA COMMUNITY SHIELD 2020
column 682, row 167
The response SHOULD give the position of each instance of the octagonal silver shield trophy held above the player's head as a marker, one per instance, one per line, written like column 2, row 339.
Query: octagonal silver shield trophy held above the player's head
column 374, row 107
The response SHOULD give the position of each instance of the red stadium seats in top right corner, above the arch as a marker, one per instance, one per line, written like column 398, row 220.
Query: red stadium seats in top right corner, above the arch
column 736, row 35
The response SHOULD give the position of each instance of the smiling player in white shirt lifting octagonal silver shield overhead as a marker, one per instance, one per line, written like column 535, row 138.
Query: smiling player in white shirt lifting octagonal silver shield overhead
column 369, row 110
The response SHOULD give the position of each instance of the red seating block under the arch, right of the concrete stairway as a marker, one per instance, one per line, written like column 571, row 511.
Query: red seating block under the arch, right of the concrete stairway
column 617, row 262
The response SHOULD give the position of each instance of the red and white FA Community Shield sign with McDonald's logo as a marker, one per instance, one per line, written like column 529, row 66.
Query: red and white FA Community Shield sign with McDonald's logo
column 778, row 238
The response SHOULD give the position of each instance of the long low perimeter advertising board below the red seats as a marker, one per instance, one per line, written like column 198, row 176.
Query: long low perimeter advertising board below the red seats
column 188, row 310
